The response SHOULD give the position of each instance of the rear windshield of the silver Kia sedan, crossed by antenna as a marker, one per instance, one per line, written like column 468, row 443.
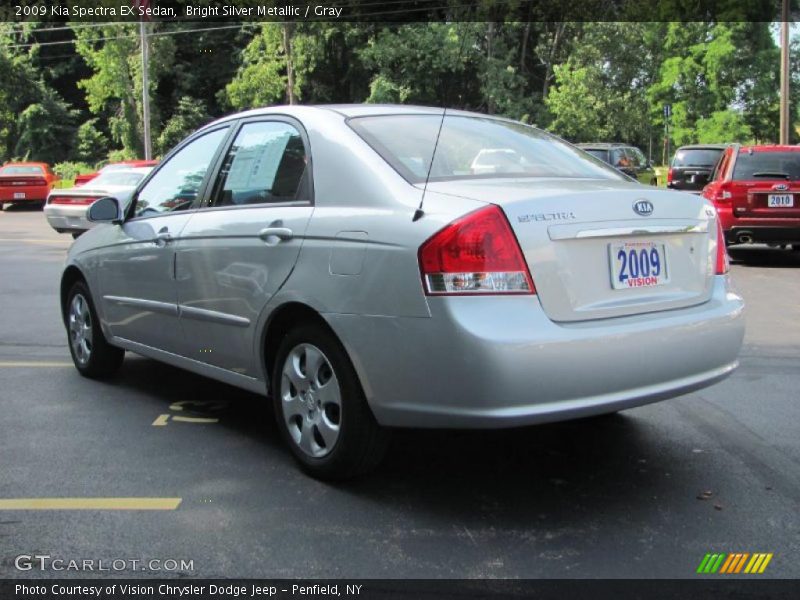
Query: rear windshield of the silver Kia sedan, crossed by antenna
column 473, row 148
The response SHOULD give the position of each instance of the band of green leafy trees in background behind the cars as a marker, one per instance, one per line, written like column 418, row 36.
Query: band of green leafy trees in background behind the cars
column 605, row 81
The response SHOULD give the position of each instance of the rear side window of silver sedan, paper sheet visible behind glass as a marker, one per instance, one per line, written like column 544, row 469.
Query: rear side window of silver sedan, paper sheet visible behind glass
column 267, row 163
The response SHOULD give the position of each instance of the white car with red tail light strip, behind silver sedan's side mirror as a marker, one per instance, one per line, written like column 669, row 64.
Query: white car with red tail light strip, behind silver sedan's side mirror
column 66, row 209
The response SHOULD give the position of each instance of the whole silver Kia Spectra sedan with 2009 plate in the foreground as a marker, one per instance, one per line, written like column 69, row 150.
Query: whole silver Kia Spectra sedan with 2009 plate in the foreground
column 350, row 263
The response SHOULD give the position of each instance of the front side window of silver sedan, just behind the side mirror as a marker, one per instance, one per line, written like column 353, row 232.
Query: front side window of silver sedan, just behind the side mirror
column 176, row 184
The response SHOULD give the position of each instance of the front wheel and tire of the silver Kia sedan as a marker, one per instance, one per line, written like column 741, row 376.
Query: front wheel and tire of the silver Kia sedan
column 95, row 358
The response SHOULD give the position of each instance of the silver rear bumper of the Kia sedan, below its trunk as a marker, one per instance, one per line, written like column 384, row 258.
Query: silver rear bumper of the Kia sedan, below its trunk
column 503, row 363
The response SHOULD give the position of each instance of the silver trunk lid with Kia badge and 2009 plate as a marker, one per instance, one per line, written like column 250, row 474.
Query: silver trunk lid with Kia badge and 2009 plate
column 573, row 234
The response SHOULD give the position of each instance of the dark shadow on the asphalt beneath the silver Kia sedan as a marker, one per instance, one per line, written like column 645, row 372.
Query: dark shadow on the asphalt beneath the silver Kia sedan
column 558, row 472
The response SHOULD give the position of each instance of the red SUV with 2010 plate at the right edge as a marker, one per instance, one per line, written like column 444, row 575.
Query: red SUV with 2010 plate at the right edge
column 756, row 190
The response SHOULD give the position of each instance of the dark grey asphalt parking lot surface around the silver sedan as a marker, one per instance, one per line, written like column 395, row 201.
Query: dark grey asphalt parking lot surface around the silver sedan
column 646, row 493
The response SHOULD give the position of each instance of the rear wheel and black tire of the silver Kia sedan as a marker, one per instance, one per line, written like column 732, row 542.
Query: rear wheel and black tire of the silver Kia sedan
column 360, row 442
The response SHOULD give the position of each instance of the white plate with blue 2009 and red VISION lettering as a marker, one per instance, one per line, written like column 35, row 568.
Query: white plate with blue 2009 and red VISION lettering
column 637, row 264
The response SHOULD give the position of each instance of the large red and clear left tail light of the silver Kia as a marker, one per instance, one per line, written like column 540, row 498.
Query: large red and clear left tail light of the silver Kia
column 476, row 254
